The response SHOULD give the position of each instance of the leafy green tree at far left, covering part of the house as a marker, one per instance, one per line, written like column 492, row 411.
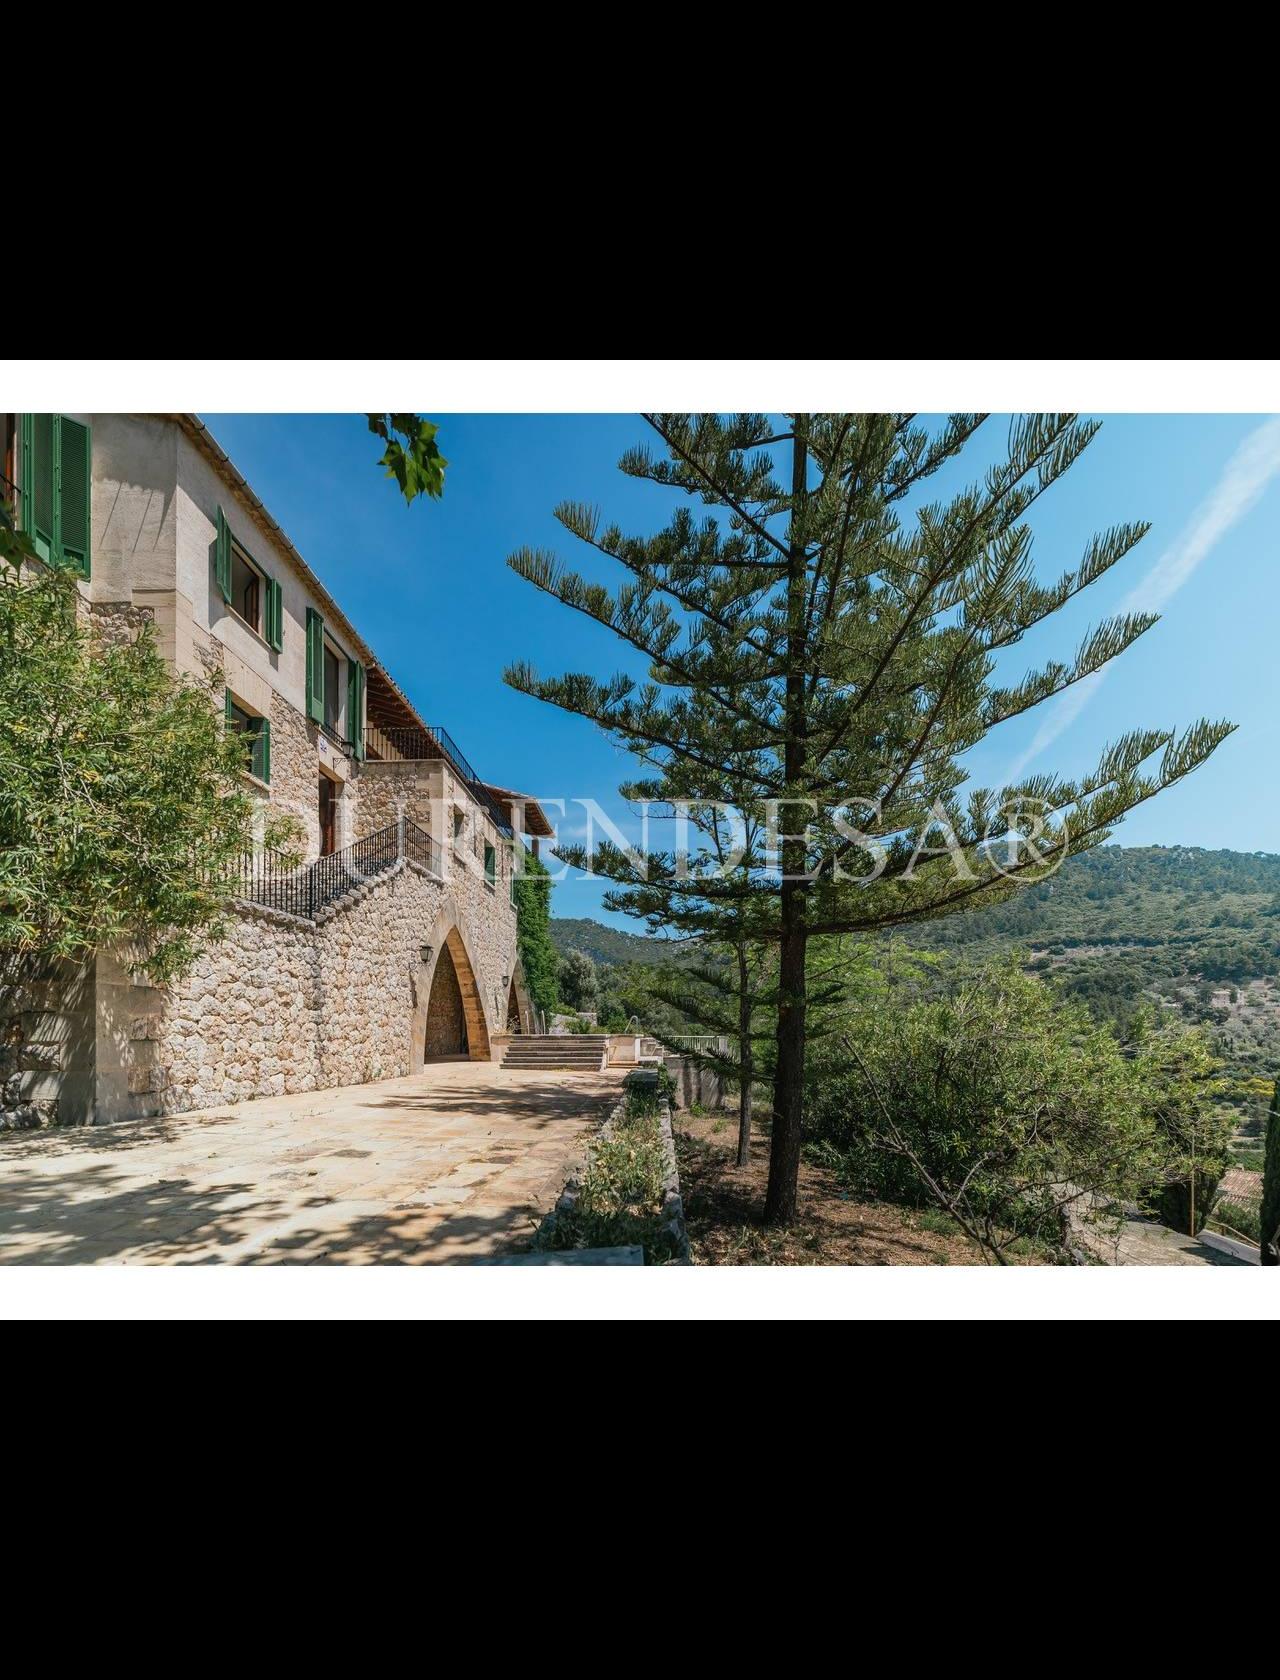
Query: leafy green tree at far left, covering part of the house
column 122, row 801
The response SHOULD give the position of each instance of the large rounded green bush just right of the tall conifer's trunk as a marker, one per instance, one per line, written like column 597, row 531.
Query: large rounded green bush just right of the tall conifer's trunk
column 992, row 1098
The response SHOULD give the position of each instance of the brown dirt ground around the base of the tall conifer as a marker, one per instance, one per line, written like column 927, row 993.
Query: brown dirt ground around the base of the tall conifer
column 723, row 1212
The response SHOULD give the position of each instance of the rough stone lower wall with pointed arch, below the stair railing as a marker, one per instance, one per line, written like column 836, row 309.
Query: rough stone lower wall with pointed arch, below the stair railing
column 280, row 1005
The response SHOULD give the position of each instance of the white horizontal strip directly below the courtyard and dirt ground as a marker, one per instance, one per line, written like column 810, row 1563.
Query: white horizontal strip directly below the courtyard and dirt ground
column 621, row 1293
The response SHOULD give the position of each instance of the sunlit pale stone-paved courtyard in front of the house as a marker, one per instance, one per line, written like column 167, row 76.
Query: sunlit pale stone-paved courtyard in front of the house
column 456, row 1163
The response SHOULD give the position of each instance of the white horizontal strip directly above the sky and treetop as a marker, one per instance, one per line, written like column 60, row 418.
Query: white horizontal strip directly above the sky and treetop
column 611, row 387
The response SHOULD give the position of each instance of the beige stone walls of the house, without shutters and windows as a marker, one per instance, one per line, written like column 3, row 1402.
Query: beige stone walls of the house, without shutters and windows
column 281, row 1004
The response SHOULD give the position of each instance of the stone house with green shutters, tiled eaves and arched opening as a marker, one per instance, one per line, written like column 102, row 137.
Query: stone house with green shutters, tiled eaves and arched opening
column 396, row 942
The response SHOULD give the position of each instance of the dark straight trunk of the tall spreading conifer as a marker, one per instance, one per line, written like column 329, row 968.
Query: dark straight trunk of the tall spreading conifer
column 789, row 1084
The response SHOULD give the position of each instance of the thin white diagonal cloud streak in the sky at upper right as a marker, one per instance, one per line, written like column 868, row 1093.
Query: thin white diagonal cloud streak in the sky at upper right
column 1242, row 483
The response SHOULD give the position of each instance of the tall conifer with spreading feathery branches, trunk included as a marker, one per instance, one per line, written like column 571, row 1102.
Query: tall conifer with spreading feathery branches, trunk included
column 847, row 639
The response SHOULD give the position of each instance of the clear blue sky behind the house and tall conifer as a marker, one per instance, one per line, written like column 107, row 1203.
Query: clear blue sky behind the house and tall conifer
column 431, row 591
